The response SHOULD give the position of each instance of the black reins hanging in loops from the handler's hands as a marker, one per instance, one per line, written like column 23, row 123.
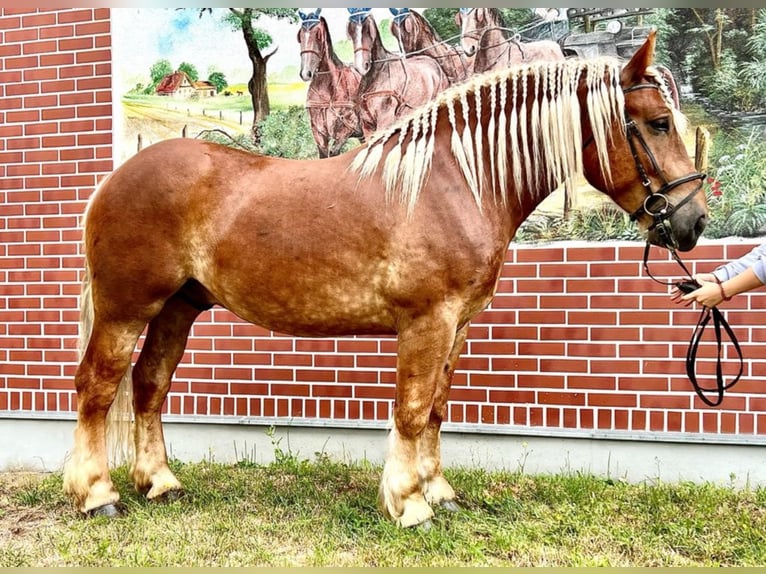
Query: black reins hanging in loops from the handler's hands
column 720, row 324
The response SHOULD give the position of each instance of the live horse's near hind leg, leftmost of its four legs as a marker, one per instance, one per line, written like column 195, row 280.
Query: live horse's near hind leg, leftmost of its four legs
column 106, row 360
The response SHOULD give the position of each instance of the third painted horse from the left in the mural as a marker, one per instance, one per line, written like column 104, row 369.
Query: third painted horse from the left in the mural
column 416, row 36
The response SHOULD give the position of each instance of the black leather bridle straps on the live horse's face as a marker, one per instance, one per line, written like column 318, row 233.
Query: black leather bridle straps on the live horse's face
column 656, row 204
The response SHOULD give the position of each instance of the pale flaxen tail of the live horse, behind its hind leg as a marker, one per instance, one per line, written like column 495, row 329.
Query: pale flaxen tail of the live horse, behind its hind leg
column 119, row 420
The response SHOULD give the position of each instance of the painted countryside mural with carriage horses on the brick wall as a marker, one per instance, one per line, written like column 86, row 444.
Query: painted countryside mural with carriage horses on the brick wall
column 324, row 79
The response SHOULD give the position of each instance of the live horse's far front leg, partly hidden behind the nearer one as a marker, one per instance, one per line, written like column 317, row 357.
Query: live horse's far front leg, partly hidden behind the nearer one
column 436, row 488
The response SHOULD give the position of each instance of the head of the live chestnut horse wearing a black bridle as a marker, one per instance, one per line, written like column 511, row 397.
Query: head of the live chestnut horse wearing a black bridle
column 650, row 173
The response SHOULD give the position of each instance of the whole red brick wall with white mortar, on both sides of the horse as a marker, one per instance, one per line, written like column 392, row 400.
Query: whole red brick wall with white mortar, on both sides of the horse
column 575, row 339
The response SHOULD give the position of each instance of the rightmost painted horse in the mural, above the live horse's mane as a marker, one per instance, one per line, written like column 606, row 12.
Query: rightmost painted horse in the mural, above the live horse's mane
column 484, row 36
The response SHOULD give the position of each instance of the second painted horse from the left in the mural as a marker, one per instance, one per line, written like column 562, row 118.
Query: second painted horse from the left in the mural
column 391, row 85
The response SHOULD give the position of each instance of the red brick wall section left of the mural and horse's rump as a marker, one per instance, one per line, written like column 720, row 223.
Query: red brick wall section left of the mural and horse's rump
column 55, row 143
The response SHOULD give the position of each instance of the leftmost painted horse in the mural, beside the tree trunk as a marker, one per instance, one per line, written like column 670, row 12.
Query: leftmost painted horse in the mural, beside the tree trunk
column 330, row 100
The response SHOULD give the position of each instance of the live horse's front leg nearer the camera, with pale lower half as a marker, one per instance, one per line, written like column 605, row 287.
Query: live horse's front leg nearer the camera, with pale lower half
column 424, row 350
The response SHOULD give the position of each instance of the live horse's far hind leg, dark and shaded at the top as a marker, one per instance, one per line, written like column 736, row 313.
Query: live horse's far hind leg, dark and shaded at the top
column 162, row 350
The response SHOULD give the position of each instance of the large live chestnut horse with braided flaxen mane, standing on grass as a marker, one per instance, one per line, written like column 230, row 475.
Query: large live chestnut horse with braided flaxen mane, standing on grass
column 404, row 235
